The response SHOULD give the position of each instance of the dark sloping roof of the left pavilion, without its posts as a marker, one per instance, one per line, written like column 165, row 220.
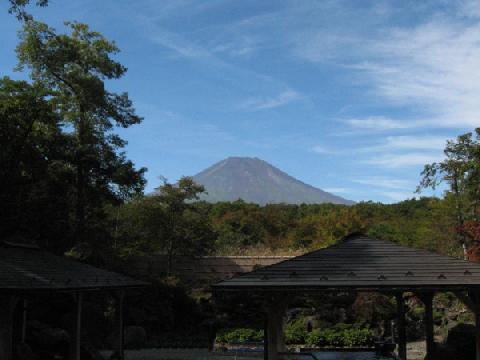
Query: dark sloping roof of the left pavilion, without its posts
column 26, row 268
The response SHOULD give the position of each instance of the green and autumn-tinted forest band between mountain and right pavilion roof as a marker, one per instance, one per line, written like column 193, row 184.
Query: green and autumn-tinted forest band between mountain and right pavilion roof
column 425, row 223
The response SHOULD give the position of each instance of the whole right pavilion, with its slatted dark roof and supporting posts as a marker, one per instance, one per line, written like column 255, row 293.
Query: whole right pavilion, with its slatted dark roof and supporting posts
column 361, row 264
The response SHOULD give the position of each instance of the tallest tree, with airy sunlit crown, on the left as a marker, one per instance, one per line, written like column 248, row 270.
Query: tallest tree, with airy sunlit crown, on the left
column 75, row 66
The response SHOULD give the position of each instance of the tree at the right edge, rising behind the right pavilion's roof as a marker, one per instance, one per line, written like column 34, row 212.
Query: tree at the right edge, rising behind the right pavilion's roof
column 461, row 171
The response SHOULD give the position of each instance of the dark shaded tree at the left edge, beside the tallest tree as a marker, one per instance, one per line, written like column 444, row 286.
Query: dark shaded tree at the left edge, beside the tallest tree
column 35, row 176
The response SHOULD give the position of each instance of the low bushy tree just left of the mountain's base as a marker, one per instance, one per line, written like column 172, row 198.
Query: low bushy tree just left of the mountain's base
column 168, row 222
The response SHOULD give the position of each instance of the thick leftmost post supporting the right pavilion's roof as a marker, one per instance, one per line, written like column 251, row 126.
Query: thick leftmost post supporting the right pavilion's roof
column 275, row 337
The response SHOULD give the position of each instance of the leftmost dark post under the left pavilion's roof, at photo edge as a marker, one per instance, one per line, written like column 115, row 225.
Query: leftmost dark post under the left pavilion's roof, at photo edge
column 7, row 309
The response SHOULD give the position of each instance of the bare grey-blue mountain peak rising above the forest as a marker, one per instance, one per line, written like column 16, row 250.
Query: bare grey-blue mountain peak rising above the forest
column 255, row 180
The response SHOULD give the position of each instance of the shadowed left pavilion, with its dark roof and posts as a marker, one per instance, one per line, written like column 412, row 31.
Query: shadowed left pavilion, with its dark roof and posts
column 28, row 273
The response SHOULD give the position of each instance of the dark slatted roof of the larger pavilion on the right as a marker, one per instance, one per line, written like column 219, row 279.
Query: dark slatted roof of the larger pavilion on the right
column 361, row 263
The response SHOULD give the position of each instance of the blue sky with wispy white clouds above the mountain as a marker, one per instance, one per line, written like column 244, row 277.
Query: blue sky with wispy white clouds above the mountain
column 349, row 96
